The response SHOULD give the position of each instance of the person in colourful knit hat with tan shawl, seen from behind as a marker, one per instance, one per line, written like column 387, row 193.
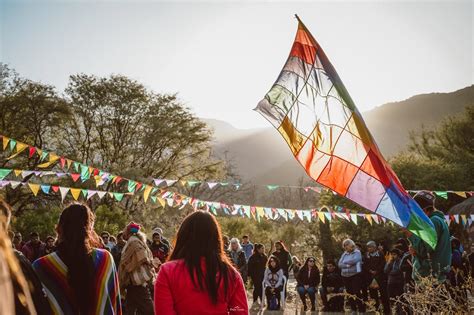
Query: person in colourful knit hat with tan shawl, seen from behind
column 136, row 271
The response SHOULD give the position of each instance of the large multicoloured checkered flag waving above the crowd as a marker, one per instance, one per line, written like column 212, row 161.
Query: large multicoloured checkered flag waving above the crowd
column 310, row 107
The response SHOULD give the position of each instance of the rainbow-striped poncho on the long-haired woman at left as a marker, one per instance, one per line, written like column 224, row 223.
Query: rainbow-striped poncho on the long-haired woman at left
column 53, row 274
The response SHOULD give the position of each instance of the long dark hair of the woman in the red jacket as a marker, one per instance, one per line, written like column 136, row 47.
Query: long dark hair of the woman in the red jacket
column 199, row 236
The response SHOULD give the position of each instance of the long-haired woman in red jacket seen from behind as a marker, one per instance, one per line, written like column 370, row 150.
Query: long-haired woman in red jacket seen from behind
column 199, row 278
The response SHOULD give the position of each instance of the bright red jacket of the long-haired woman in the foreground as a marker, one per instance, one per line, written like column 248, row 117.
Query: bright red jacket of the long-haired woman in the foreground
column 175, row 294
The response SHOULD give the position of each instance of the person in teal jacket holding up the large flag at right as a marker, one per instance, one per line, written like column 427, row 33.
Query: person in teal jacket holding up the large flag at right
column 427, row 260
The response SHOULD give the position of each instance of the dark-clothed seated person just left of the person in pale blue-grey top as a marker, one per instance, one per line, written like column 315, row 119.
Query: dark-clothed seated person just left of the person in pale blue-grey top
column 332, row 283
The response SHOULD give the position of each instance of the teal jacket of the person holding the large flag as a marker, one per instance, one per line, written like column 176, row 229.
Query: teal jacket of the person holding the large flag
column 439, row 259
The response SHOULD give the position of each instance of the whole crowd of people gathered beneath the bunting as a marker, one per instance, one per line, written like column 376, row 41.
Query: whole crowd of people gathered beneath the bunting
column 80, row 272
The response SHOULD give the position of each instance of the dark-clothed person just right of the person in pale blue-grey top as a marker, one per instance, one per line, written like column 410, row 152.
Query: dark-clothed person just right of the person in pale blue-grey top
column 374, row 264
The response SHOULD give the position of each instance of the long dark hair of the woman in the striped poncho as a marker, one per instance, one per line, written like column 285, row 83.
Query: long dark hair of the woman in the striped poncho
column 76, row 240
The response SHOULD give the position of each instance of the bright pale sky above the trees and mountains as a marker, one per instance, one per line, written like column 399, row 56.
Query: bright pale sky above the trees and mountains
column 222, row 57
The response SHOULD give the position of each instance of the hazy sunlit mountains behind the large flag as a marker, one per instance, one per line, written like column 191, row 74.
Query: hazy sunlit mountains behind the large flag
column 263, row 157
